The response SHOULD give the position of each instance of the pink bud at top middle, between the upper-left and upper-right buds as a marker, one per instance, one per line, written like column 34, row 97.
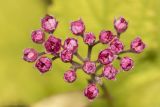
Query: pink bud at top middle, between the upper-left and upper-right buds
column 77, row 27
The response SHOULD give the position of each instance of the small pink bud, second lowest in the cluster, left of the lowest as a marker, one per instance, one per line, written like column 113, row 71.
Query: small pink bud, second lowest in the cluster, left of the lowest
column 70, row 76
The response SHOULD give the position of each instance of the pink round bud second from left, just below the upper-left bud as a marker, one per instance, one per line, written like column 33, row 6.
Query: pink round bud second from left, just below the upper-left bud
column 38, row 36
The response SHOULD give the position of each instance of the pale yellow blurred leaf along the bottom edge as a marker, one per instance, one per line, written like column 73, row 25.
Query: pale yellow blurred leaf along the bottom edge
column 69, row 99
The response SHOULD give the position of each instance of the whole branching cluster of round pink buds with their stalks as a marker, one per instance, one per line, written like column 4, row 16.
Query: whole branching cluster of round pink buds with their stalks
column 69, row 49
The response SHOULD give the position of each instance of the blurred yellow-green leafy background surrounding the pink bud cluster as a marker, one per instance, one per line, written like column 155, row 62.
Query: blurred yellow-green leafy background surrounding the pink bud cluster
column 22, row 85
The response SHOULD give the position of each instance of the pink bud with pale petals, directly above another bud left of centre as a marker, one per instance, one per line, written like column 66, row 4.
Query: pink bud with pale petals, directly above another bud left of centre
column 71, row 44
